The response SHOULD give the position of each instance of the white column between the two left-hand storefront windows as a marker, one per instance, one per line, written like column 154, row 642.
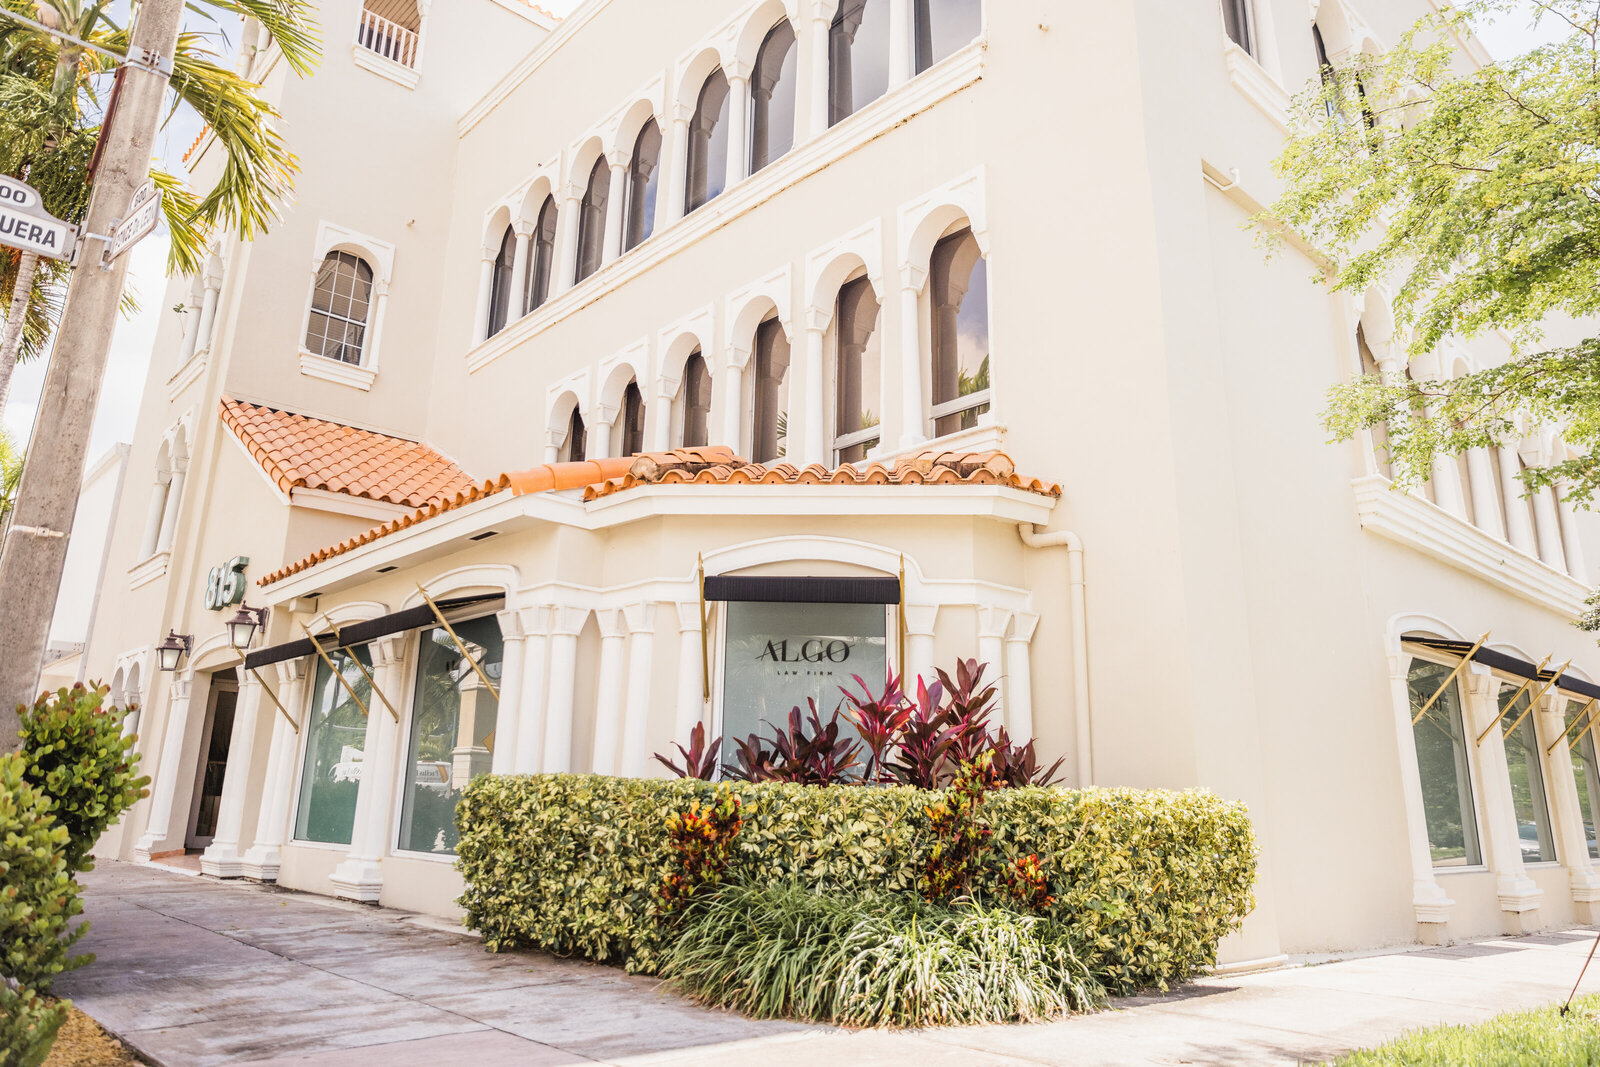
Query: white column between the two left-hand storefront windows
column 361, row 877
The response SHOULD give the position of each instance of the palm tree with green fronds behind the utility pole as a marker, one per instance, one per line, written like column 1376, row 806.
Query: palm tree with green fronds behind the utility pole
column 49, row 129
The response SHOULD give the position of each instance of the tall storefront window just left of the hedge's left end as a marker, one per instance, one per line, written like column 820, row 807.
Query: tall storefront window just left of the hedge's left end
column 452, row 732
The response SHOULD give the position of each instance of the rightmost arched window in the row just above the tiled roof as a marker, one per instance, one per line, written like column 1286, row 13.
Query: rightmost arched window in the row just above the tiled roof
column 961, row 334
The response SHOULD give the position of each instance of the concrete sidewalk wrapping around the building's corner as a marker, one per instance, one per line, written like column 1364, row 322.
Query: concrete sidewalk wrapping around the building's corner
column 196, row 973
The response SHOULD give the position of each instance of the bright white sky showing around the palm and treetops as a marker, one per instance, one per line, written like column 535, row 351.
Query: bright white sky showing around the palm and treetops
column 135, row 335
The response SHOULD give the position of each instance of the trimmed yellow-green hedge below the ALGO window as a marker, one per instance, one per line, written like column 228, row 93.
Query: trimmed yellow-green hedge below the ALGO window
column 1148, row 882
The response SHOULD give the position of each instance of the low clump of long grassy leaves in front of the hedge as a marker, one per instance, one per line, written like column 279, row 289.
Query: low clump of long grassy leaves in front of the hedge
column 876, row 961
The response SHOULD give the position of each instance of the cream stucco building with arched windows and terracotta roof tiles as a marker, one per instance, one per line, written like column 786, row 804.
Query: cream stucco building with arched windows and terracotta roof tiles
column 871, row 332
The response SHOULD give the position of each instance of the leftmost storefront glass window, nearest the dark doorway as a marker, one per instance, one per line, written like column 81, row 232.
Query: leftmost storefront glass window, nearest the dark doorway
column 335, row 741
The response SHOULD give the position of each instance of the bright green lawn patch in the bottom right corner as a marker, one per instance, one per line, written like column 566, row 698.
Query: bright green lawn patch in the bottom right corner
column 1521, row 1037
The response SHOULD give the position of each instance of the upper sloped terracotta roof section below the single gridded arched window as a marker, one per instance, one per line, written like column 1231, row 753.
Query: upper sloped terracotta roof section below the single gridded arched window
column 298, row 452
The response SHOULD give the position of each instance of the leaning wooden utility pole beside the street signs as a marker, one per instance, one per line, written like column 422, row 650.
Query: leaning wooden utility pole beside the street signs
column 36, row 546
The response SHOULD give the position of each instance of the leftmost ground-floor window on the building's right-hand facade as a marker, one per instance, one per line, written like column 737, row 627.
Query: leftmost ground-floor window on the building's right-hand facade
column 1442, row 764
